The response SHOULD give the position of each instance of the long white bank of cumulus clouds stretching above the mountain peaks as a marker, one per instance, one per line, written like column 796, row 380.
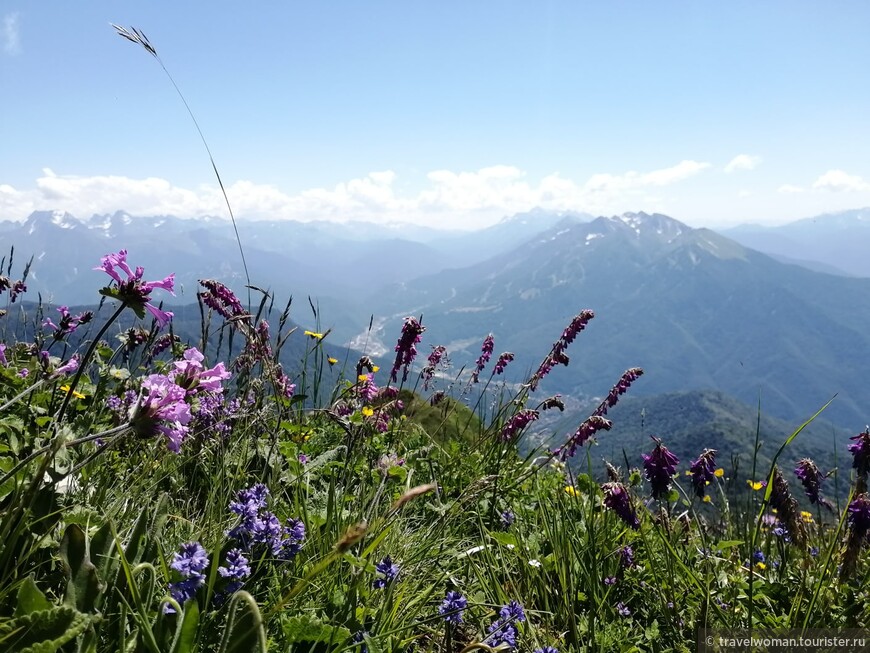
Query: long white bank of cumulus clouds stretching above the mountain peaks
column 462, row 199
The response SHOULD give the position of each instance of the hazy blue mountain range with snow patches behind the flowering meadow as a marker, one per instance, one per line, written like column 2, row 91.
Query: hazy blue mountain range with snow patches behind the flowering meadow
column 696, row 309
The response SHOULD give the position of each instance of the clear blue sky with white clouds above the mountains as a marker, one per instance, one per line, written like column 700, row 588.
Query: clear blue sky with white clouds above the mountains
column 452, row 114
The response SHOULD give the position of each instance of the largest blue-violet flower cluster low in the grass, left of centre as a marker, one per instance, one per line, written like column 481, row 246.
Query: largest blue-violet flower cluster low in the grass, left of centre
column 260, row 526
